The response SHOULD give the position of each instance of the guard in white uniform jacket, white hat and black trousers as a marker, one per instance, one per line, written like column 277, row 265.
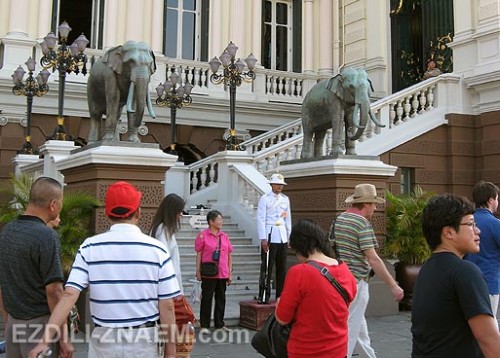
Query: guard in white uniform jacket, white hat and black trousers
column 274, row 224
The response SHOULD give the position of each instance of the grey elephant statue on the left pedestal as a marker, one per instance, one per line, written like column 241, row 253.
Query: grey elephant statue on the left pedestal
column 120, row 77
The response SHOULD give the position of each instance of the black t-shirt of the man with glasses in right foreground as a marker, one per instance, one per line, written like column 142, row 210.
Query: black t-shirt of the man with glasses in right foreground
column 448, row 292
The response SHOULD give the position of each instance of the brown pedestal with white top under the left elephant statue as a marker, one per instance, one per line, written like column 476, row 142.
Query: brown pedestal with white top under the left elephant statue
column 94, row 167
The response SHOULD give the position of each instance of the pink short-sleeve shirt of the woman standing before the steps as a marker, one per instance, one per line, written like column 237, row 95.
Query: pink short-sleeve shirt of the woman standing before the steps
column 207, row 242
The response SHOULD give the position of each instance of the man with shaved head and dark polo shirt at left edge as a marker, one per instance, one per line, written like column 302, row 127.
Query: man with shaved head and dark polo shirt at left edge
column 31, row 277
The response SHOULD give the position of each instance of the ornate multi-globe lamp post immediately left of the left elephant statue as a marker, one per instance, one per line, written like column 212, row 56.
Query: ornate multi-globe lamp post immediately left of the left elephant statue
column 65, row 59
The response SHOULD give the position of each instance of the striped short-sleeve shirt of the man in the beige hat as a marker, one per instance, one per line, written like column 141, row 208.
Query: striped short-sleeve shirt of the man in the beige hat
column 353, row 235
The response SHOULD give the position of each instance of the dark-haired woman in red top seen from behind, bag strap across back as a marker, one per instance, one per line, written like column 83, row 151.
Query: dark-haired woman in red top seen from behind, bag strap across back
column 310, row 302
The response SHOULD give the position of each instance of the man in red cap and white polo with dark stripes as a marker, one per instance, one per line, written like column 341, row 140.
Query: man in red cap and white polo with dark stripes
column 131, row 283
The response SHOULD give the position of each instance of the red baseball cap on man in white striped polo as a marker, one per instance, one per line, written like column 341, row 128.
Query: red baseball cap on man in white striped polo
column 122, row 195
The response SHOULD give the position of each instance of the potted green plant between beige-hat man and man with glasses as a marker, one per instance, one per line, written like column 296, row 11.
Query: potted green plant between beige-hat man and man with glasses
column 405, row 241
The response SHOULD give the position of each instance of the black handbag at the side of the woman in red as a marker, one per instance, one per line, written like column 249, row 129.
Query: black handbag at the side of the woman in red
column 271, row 339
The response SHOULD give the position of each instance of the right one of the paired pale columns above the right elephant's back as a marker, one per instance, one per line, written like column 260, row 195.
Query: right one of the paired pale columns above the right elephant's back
column 326, row 38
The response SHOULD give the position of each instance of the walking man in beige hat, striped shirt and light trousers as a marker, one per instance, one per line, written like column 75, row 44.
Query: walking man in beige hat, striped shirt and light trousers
column 355, row 244
